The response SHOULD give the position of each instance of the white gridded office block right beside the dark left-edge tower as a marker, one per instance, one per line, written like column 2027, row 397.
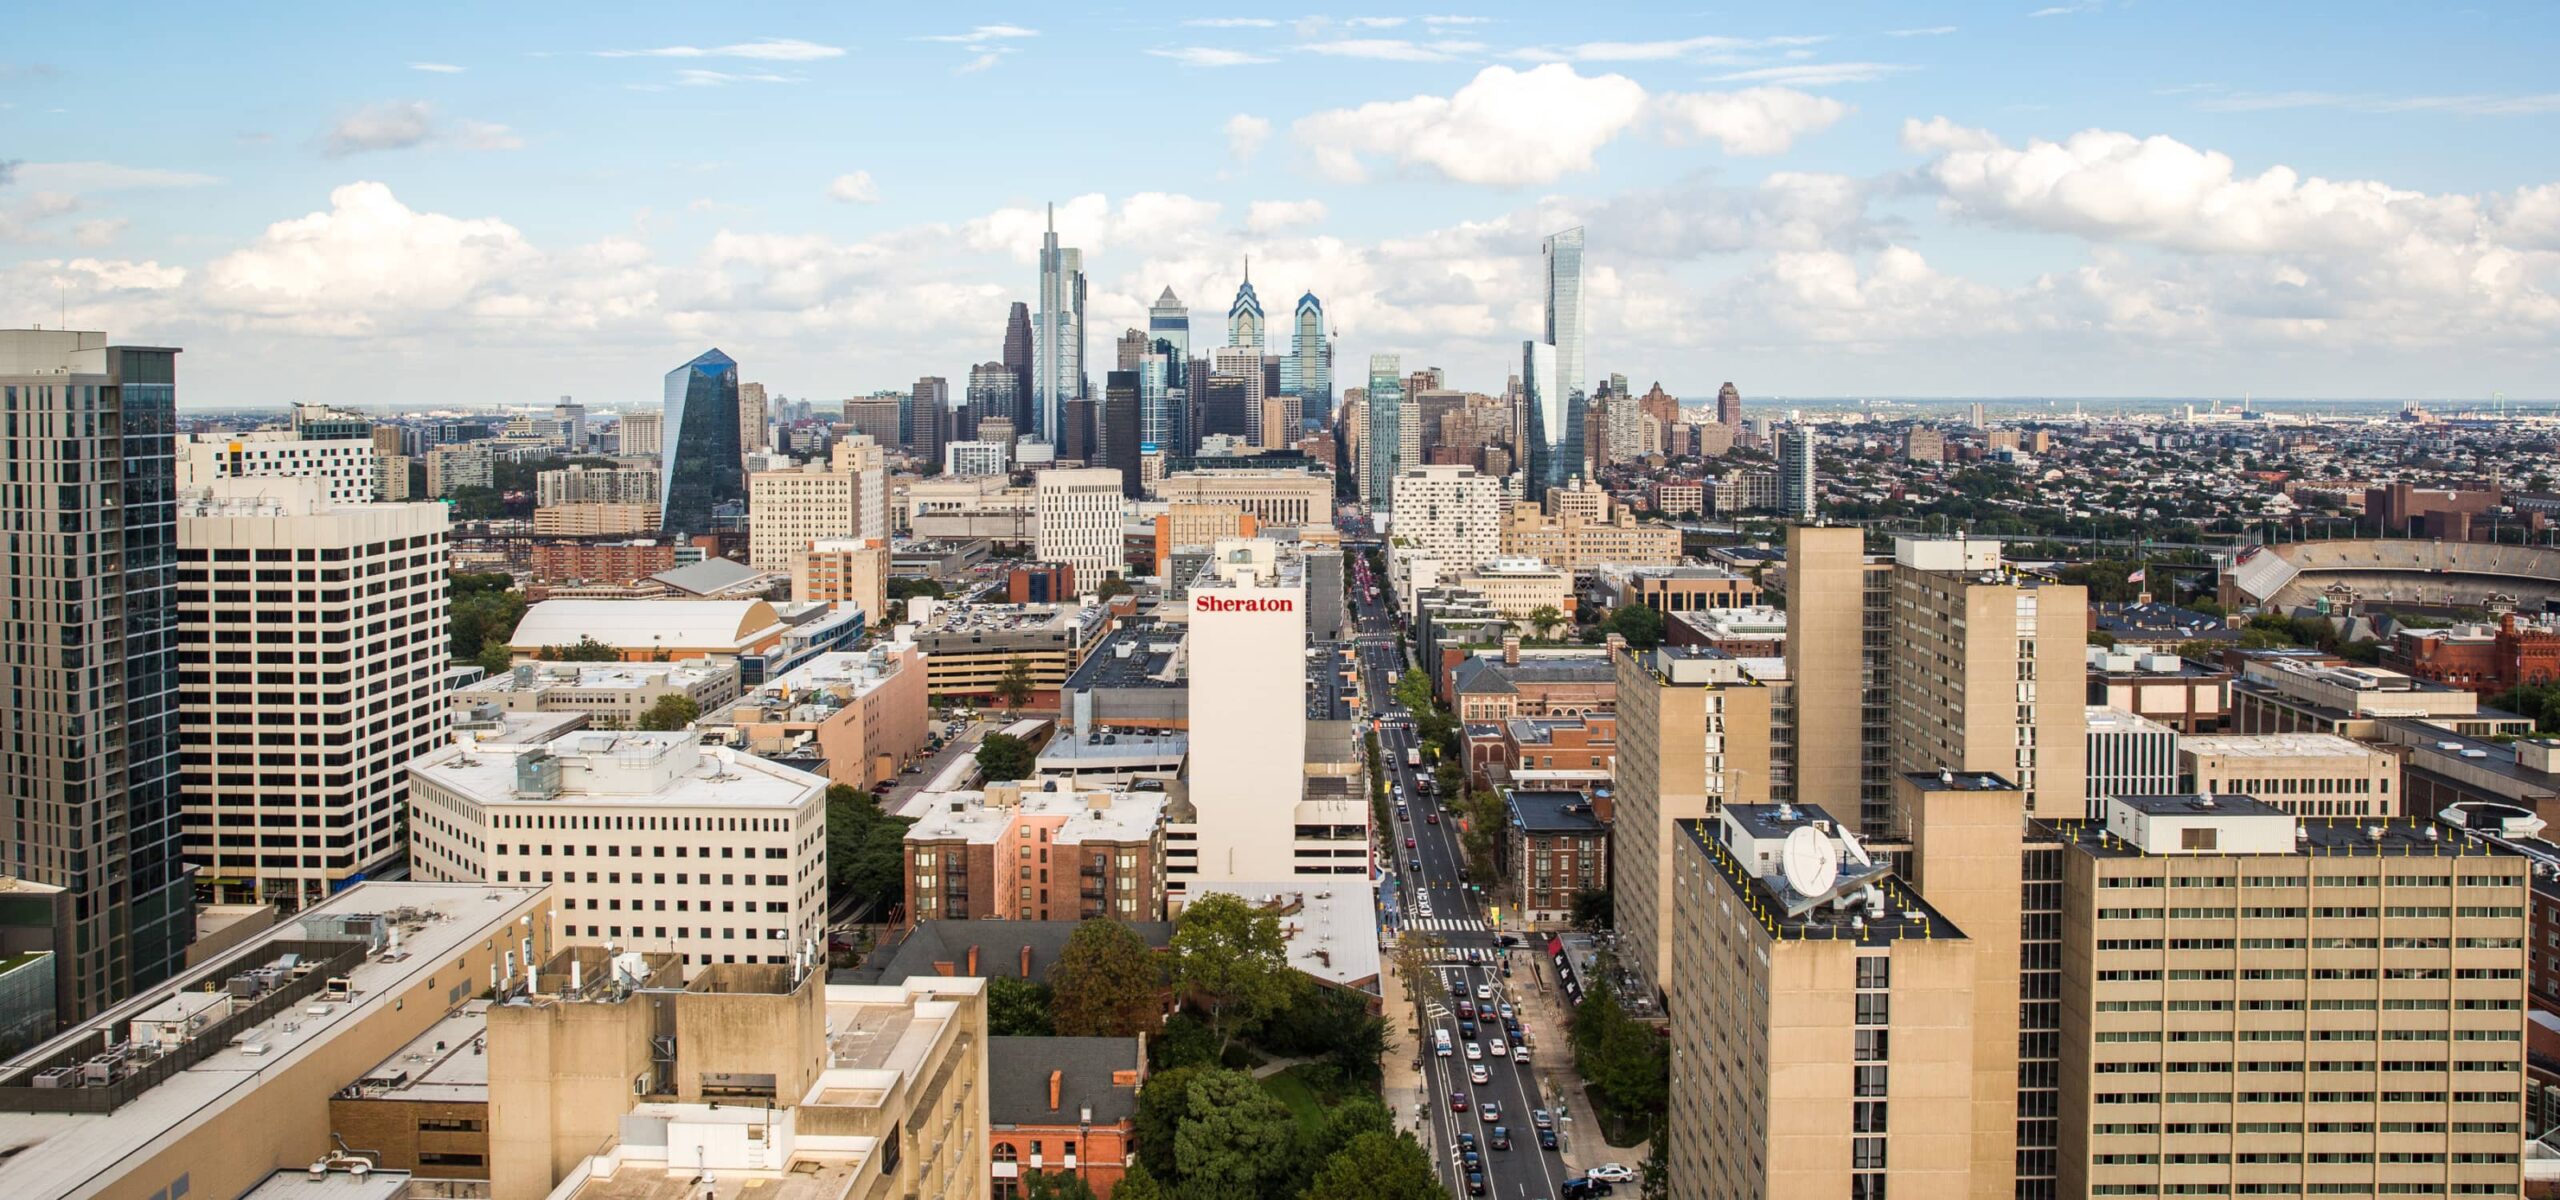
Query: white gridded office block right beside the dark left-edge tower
column 316, row 677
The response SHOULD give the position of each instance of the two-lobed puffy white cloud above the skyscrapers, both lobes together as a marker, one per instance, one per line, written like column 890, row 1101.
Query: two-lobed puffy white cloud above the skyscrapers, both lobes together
column 1537, row 127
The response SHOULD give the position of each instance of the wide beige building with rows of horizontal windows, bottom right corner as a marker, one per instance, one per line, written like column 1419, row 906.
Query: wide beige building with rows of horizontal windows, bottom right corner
column 2259, row 1004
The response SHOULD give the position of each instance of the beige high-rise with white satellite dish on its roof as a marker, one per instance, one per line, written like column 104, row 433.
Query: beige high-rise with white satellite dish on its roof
column 1821, row 1043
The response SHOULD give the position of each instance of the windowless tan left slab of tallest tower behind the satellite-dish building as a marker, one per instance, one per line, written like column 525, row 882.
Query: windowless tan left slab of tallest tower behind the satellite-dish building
column 1839, row 656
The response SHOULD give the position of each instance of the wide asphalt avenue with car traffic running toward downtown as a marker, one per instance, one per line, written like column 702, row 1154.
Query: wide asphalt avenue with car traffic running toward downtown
column 1432, row 902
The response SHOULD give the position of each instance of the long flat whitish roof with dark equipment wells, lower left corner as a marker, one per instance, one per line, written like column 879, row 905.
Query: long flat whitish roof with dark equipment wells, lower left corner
column 52, row 1155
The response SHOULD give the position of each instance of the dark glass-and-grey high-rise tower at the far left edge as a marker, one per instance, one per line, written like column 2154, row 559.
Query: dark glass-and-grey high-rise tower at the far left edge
column 88, row 792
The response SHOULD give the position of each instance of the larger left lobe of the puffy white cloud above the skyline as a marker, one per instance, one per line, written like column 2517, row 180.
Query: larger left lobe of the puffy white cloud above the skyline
column 1504, row 129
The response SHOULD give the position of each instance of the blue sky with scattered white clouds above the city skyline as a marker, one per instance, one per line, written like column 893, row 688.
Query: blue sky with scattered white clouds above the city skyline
column 426, row 206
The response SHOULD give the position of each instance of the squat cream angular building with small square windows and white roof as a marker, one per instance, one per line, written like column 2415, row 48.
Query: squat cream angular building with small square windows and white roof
column 652, row 841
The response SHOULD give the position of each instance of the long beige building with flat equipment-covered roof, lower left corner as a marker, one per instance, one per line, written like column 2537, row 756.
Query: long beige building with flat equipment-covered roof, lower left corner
column 224, row 1073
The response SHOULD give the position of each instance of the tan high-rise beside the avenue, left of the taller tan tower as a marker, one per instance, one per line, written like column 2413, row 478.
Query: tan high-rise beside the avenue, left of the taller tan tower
column 1693, row 736
